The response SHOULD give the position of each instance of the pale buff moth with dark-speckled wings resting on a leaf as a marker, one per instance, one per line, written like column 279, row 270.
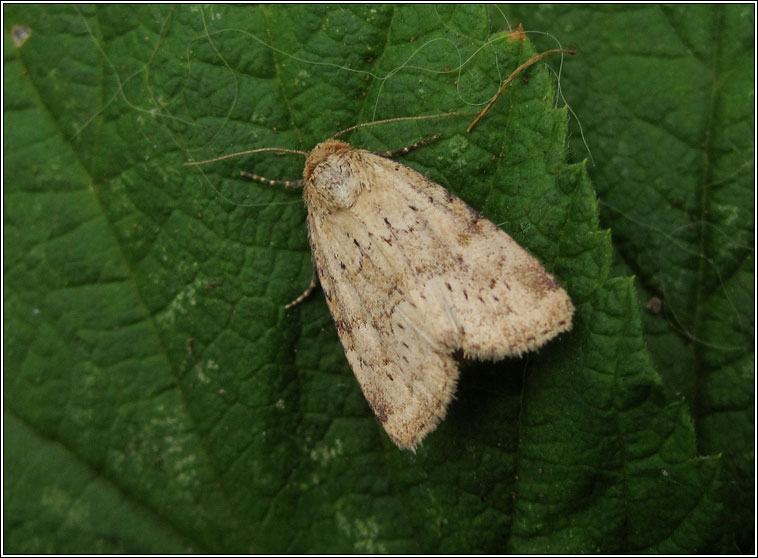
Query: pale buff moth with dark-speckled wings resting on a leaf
column 413, row 276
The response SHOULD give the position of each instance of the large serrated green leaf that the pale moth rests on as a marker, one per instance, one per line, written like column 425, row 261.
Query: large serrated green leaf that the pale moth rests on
column 158, row 397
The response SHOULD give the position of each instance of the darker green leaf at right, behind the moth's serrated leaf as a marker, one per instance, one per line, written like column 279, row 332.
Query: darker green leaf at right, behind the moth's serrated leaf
column 668, row 110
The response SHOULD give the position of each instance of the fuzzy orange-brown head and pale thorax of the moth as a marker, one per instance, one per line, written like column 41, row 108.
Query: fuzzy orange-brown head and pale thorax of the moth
column 331, row 176
